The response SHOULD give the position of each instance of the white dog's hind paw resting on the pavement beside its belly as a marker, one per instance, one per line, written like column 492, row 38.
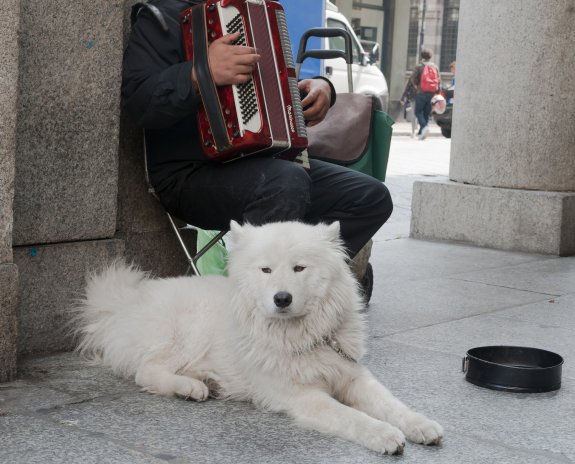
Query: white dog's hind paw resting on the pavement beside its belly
column 155, row 378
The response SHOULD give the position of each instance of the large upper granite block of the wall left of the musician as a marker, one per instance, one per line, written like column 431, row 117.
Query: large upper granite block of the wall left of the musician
column 68, row 129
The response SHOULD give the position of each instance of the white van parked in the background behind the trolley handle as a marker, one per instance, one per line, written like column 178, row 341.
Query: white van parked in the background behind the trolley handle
column 367, row 77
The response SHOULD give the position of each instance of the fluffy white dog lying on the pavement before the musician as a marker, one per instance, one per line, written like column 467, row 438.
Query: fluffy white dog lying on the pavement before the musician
column 284, row 331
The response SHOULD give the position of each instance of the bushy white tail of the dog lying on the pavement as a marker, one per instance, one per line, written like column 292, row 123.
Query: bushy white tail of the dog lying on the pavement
column 107, row 293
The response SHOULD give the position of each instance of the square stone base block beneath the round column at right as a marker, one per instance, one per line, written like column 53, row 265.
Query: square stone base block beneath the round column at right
column 507, row 219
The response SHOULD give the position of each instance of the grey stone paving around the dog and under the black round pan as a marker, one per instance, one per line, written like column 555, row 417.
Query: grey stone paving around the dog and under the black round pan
column 431, row 303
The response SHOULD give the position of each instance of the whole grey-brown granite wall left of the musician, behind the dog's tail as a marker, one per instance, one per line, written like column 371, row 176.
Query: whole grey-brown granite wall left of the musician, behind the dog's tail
column 71, row 170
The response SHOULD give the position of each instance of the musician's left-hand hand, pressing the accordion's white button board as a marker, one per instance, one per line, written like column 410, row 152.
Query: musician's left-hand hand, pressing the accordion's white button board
column 229, row 63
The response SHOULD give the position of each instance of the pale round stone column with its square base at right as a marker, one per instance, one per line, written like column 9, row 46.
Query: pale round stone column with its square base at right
column 512, row 171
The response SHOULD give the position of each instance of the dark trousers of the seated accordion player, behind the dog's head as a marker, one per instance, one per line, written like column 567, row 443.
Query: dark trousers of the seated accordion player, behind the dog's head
column 261, row 190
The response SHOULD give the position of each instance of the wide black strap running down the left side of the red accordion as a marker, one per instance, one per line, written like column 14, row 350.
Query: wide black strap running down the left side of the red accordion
column 206, row 84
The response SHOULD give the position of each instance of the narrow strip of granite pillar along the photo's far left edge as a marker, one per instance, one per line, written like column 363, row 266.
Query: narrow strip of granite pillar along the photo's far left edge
column 9, row 20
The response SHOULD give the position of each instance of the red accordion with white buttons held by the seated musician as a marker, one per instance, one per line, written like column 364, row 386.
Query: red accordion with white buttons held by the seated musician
column 263, row 116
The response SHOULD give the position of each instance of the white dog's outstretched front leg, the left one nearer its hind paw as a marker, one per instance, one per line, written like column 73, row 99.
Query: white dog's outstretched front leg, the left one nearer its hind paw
column 317, row 410
